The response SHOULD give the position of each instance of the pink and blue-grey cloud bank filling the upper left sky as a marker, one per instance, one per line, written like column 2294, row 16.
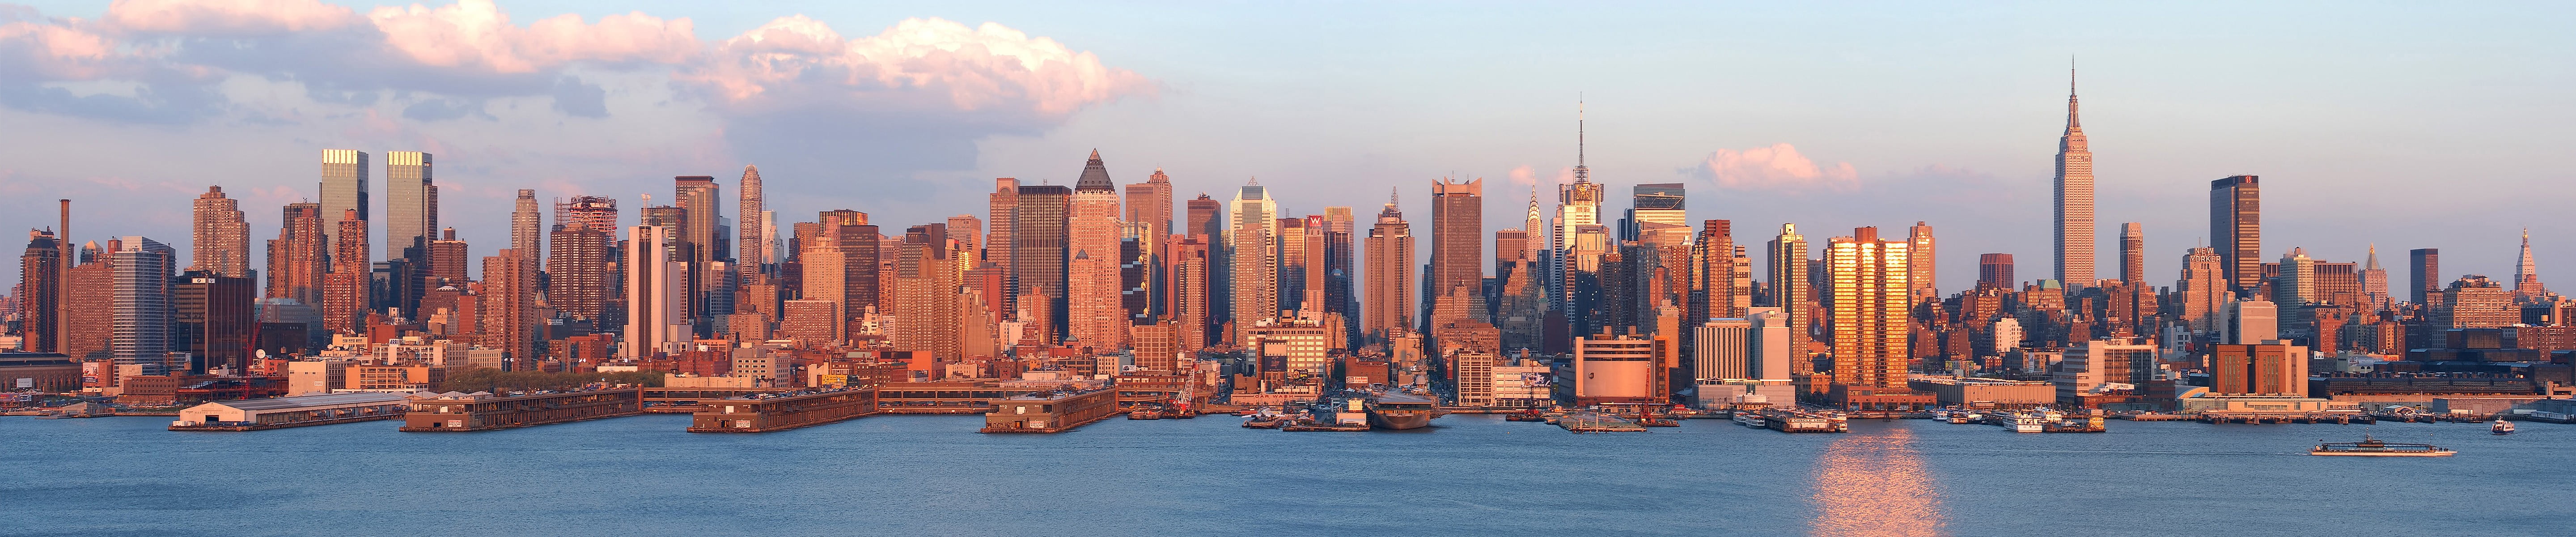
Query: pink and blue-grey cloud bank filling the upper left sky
column 918, row 92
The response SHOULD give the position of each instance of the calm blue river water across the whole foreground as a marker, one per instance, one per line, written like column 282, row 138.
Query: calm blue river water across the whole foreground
column 1207, row 476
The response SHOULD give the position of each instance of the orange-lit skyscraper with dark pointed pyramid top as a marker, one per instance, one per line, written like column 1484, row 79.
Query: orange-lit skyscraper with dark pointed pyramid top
column 1094, row 301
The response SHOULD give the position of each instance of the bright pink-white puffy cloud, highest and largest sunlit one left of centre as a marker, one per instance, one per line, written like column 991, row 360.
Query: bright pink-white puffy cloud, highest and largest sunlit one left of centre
column 805, row 63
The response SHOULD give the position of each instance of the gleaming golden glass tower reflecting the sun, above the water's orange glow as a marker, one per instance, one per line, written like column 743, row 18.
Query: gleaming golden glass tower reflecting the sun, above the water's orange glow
column 1869, row 311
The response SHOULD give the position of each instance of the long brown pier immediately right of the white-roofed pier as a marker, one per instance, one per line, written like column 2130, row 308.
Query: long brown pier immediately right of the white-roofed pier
column 486, row 412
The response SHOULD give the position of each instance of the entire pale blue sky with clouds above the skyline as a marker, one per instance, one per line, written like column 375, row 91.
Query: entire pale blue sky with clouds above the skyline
column 2397, row 125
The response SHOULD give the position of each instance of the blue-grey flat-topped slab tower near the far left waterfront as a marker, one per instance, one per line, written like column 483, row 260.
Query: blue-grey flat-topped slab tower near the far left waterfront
column 140, row 332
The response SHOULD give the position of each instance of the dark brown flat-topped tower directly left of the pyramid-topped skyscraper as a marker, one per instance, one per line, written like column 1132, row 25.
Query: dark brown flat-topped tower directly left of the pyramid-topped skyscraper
column 1039, row 252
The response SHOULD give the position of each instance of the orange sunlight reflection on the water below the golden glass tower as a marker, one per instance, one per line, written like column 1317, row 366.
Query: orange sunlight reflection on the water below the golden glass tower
column 1877, row 487
